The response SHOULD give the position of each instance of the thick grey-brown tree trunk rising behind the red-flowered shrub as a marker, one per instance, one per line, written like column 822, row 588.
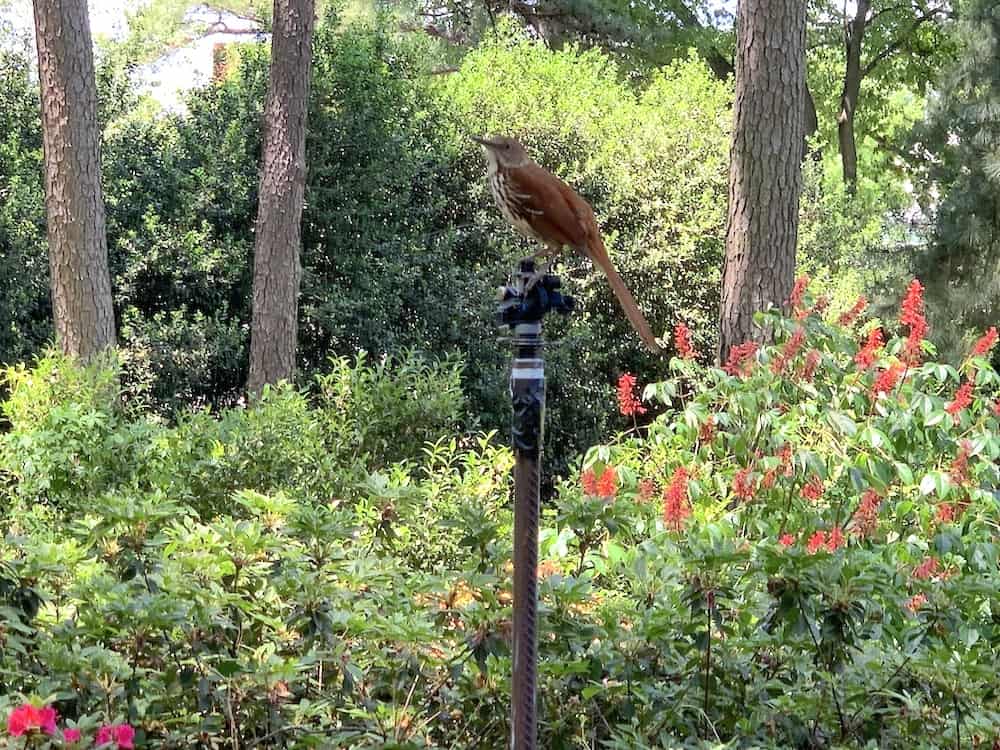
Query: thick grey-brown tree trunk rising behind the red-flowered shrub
column 765, row 175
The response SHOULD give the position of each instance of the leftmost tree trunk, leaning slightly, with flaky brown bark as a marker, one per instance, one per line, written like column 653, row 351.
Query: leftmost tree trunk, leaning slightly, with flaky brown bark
column 74, row 205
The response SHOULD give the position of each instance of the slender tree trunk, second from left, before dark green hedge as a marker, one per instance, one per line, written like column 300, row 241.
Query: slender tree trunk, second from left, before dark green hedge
column 276, row 273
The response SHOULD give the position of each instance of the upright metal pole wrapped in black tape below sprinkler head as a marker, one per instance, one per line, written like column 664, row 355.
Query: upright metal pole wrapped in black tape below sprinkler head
column 527, row 384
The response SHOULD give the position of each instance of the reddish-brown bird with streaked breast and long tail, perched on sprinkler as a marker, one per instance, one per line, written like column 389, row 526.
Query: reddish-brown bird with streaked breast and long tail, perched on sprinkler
column 544, row 208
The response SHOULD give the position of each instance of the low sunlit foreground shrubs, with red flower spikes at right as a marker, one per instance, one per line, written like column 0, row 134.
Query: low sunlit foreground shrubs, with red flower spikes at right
column 378, row 615
